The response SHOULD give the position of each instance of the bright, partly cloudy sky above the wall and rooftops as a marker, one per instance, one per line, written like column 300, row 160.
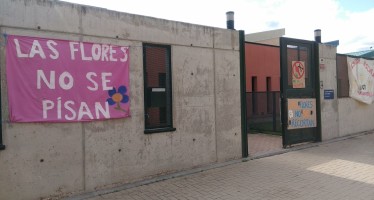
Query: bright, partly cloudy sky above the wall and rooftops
column 349, row 21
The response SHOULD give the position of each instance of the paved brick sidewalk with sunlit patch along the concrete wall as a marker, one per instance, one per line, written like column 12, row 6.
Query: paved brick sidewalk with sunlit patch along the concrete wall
column 341, row 170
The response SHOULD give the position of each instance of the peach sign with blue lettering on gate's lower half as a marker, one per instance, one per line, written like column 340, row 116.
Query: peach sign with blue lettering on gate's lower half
column 301, row 113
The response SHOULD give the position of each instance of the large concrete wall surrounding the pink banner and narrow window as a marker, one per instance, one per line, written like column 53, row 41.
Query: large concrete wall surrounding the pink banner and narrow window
column 47, row 159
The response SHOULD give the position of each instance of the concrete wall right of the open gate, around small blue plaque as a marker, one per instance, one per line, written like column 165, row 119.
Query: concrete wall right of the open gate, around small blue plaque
column 339, row 116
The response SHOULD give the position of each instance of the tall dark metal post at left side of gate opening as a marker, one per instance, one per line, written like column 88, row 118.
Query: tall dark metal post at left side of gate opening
column 243, row 101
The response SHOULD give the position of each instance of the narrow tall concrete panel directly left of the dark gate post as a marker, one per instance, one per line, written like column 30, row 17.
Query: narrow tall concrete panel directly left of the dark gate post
column 228, row 123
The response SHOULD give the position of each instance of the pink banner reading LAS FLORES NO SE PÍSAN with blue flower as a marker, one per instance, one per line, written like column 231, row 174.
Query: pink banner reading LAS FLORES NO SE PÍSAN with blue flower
column 53, row 80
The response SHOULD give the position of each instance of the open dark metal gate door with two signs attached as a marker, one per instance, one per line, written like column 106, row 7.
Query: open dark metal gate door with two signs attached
column 300, row 102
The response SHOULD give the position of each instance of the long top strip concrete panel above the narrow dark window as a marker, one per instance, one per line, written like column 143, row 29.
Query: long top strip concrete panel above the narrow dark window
column 147, row 29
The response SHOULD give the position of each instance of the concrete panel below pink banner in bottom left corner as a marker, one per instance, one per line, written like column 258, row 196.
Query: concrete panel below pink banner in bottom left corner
column 41, row 159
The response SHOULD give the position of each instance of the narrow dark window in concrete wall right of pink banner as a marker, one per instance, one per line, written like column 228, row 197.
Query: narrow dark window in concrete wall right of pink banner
column 157, row 88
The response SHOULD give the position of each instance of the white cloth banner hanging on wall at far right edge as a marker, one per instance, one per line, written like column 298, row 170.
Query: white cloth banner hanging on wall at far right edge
column 361, row 79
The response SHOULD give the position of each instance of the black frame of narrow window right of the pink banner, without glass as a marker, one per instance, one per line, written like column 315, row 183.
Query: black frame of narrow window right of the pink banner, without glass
column 168, row 127
